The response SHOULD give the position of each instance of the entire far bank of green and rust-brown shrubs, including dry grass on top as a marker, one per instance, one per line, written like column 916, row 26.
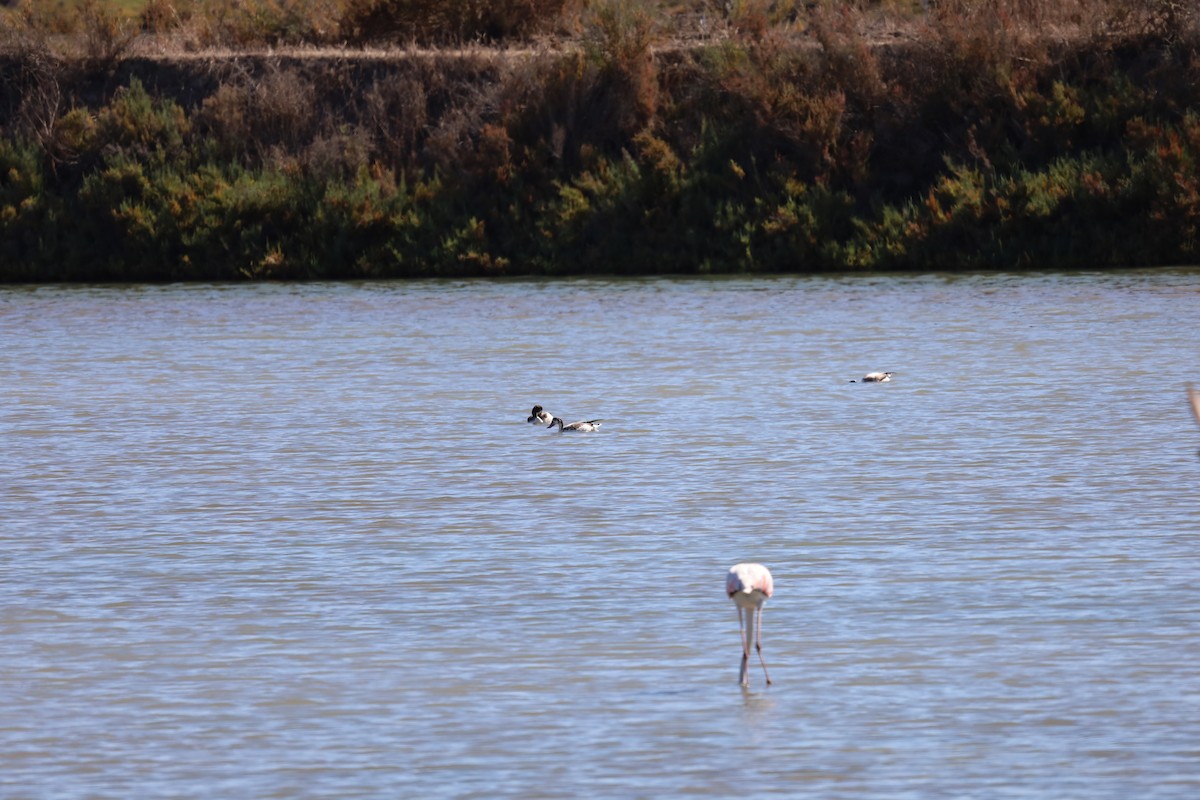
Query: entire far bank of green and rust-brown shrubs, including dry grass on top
column 160, row 141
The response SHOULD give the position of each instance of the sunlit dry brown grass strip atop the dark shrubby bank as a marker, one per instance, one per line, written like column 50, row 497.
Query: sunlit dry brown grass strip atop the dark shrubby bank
column 99, row 31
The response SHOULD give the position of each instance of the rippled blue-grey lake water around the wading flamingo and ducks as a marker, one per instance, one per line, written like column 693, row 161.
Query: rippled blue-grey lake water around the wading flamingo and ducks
column 298, row 542
